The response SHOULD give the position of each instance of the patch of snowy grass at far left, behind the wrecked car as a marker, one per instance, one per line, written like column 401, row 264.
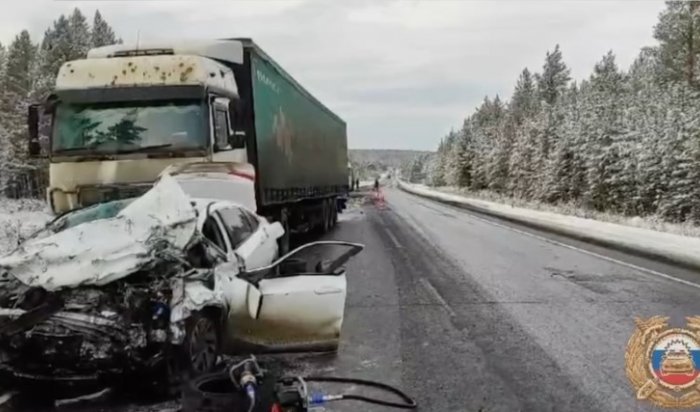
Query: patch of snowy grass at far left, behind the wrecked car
column 20, row 218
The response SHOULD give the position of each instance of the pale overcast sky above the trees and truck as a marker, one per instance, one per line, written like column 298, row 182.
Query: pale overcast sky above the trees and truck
column 401, row 73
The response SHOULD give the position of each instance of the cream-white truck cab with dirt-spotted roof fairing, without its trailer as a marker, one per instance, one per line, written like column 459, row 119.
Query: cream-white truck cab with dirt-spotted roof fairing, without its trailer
column 167, row 103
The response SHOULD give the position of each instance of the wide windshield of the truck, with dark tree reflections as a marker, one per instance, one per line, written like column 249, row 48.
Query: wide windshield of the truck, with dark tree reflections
column 129, row 127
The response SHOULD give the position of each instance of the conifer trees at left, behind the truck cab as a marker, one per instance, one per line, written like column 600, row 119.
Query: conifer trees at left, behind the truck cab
column 27, row 70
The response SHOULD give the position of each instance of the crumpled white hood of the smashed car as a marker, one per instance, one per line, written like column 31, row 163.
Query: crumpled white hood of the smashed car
column 102, row 251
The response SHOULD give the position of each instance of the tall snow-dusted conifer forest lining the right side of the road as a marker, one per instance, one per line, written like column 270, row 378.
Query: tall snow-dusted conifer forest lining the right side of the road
column 623, row 140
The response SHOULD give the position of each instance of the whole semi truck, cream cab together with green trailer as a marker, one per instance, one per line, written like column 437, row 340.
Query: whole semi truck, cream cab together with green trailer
column 125, row 113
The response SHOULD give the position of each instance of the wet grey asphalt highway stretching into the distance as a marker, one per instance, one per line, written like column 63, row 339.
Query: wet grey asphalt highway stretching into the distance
column 466, row 314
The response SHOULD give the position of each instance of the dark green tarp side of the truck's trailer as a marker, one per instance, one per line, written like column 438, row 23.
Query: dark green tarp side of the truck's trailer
column 301, row 146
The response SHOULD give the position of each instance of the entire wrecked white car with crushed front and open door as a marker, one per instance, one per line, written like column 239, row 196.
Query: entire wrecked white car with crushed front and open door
column 159, row 282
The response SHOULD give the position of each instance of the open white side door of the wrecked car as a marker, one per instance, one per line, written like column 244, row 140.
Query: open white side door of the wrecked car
column 298, row 302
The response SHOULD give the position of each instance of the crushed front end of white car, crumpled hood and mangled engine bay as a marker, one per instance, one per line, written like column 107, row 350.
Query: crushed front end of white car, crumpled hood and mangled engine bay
column 90, row 302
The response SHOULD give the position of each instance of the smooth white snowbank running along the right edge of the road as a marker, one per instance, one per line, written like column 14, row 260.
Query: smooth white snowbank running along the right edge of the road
column 654, row 244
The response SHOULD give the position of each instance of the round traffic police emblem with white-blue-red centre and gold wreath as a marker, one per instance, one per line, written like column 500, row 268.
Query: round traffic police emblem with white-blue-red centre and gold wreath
column 663, row 364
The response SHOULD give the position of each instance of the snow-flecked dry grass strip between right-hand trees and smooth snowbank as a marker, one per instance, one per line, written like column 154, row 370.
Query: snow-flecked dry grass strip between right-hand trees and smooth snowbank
column 648, row 222
